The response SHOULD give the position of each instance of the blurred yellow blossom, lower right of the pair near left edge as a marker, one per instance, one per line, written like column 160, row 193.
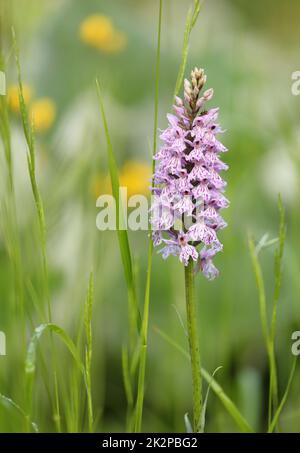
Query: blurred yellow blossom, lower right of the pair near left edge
column 43, row 112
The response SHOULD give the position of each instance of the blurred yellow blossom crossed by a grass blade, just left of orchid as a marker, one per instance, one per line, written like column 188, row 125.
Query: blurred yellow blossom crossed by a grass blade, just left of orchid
column 134, row 175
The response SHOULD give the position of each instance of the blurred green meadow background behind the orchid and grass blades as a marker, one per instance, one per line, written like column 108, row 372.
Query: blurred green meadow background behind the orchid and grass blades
column 249, row 51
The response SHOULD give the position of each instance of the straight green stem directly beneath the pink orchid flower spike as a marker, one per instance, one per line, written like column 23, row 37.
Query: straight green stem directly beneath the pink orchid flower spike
column 193, row 344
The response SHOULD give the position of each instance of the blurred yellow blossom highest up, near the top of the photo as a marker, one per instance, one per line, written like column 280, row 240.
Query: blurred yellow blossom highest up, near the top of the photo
column 98, row 31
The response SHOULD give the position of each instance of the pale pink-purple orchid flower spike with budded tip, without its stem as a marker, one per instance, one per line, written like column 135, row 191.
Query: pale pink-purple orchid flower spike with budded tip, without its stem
column 188, row 189
